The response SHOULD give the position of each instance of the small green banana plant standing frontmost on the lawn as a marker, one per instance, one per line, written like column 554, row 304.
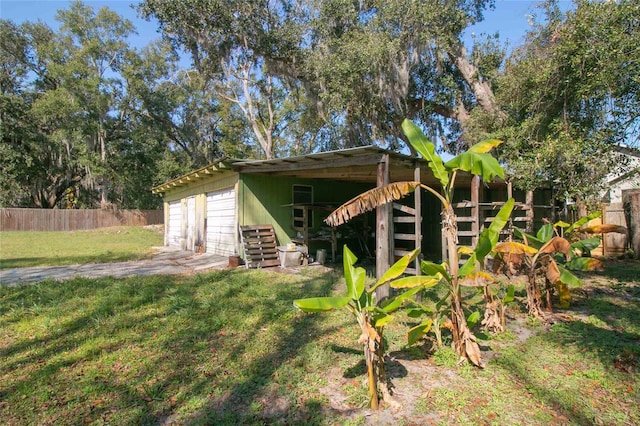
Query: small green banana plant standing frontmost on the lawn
column 371, row 315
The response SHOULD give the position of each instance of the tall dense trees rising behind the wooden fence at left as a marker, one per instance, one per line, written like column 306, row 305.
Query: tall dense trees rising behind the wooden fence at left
column 69, row 137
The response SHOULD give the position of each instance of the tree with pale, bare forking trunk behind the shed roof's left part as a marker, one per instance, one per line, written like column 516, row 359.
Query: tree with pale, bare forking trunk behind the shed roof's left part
column 233, row 46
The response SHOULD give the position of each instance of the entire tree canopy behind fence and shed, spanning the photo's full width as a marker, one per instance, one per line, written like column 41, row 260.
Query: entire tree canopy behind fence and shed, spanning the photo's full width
column 88, row 120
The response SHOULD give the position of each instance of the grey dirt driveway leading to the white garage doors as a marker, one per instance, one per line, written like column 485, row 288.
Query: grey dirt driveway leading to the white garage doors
column 168, row 261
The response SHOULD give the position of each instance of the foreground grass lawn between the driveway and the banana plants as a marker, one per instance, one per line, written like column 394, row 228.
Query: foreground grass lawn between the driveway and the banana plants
column 228, row 347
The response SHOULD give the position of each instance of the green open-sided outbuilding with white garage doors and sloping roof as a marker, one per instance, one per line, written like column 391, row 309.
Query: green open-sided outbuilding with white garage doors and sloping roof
column 205, row 208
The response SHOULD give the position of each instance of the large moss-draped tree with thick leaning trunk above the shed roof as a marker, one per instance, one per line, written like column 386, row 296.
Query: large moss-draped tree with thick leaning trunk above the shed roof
column 372, row 64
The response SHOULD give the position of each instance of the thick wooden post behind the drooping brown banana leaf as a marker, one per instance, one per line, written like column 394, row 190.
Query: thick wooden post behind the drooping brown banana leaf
column 383, row 229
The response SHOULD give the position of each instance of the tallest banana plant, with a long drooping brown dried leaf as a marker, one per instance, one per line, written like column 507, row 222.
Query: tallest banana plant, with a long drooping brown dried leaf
column 476, row 161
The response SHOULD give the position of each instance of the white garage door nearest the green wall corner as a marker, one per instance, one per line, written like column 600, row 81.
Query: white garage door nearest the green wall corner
column 221, row 222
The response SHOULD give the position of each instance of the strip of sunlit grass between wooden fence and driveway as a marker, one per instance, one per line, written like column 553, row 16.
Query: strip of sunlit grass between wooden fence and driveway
column 26, row 248
